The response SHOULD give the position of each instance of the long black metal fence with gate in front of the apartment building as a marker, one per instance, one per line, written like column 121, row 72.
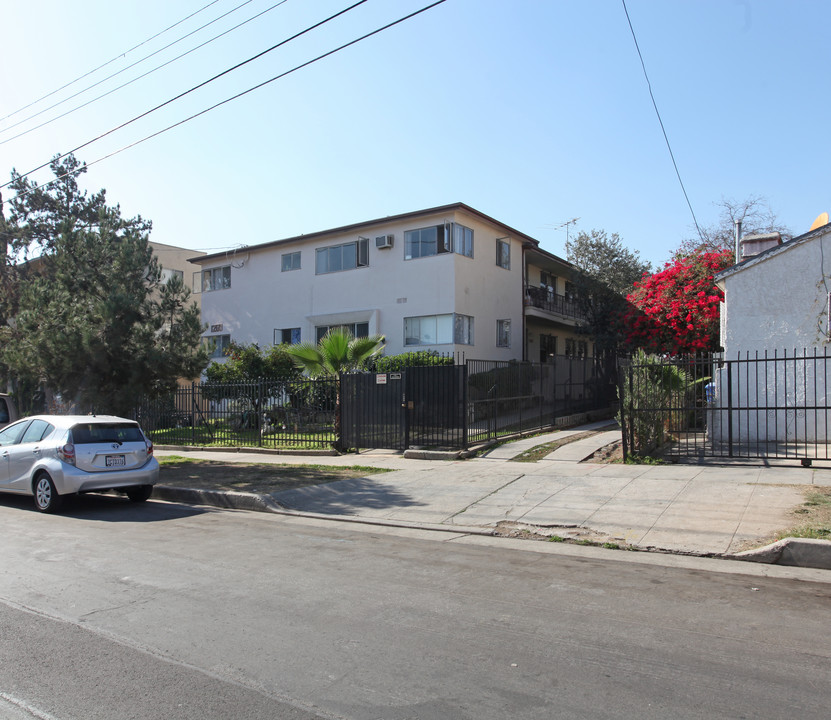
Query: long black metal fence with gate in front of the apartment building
column 437, row 406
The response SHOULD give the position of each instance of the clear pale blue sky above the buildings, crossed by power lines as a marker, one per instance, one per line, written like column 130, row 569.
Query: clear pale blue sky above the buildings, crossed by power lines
column 535, row 112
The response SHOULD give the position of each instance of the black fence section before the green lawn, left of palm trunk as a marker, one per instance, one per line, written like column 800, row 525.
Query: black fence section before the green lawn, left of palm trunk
column 299, row 414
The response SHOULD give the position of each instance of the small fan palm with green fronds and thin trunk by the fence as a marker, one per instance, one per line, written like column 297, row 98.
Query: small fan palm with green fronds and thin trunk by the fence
column 336, row 353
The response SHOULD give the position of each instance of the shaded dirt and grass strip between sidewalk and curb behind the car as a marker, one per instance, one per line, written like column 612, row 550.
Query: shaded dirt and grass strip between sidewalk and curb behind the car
column 255, row 478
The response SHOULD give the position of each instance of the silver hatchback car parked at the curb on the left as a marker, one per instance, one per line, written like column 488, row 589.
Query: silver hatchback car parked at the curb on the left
column 50, row 456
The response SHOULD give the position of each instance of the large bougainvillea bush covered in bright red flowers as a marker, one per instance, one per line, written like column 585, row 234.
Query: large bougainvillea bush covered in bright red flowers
column 676, row 310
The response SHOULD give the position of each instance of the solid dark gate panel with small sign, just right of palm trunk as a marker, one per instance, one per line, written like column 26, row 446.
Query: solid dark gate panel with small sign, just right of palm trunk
column 373, row 413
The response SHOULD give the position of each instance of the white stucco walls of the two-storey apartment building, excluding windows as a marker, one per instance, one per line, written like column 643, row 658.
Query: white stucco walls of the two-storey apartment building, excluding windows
column 262, row 298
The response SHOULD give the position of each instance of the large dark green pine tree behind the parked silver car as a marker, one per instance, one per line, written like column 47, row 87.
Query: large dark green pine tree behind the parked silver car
column 87, row 315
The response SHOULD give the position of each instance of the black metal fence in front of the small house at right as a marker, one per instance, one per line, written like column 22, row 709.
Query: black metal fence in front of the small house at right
column 758, row 405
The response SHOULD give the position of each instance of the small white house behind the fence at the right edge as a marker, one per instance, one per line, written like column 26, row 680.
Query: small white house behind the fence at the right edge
column 772, row 385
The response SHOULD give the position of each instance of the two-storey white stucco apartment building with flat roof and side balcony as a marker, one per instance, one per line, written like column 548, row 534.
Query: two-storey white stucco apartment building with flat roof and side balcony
column 449, row 279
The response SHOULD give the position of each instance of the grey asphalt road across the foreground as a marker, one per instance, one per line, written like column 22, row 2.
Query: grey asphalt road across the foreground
column 165, row 611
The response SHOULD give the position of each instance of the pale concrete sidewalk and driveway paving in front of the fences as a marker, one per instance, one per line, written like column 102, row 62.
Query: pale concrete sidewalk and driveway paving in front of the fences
column 697, row 509
